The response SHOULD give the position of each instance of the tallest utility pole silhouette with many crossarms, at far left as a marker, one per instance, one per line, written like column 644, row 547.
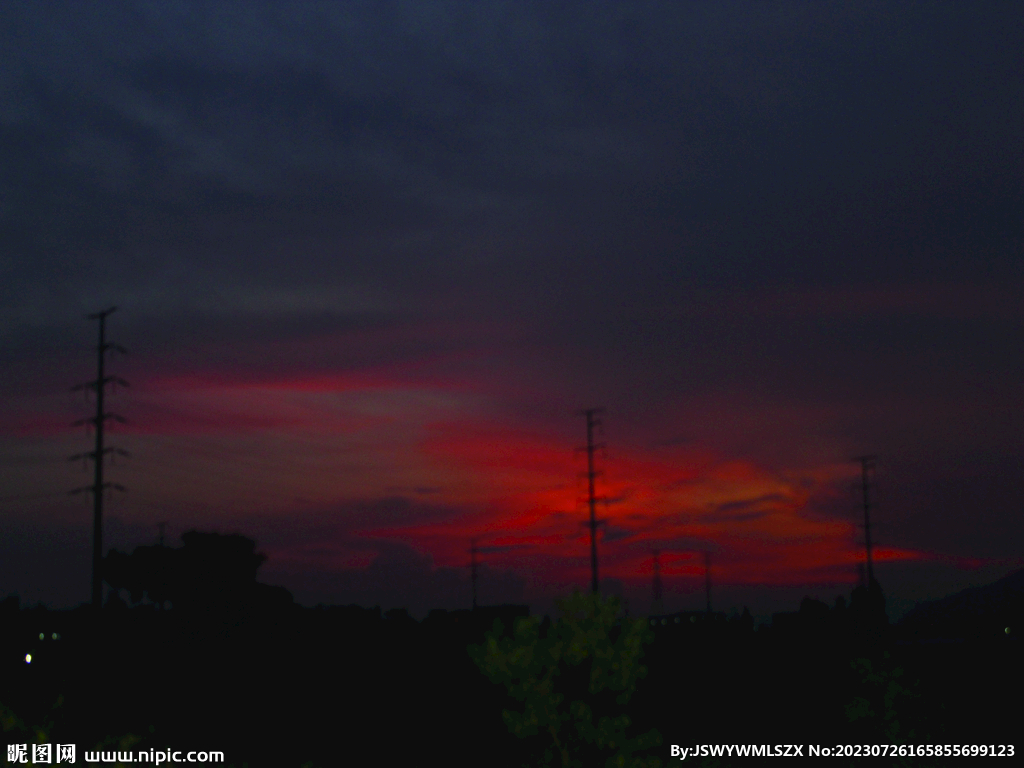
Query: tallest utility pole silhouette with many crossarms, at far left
column 102, row 417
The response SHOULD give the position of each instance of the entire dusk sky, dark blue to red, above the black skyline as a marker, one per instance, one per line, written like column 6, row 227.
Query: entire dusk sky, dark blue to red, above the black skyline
column 371, row 259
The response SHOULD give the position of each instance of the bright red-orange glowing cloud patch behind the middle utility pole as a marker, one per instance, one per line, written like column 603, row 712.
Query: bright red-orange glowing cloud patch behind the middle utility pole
column 762, row 527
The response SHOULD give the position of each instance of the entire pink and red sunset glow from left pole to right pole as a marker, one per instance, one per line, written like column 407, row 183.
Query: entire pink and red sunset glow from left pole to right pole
column 319, row 442
